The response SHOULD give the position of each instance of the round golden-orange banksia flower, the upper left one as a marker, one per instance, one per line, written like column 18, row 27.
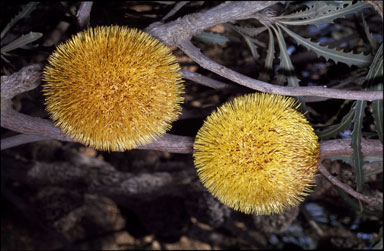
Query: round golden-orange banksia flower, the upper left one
column 113, row 88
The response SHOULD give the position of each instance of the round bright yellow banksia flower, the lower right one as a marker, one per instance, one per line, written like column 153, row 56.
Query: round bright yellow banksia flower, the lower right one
column 257, row 154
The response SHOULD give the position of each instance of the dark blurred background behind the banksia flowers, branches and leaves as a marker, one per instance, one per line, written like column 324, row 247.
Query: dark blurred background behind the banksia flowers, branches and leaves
column 154, row 200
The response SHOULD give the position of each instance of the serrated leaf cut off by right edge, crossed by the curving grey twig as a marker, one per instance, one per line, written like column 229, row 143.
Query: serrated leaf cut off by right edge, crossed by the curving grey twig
column 376, row 72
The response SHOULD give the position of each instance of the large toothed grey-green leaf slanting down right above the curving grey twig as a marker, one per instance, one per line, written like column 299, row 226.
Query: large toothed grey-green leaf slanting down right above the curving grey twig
column 348, row 58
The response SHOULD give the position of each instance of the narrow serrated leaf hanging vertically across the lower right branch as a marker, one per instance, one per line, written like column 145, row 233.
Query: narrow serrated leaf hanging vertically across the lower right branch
column 357, row 158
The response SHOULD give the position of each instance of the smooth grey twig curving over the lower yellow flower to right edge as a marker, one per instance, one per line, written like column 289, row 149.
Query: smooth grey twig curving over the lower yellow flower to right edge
column 194, row 53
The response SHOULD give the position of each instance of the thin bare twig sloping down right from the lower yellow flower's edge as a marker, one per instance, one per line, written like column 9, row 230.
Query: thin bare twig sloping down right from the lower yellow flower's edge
column 367, row 199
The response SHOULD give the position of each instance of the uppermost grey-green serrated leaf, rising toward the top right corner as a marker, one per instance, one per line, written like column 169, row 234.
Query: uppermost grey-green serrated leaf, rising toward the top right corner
column 328, row 17
